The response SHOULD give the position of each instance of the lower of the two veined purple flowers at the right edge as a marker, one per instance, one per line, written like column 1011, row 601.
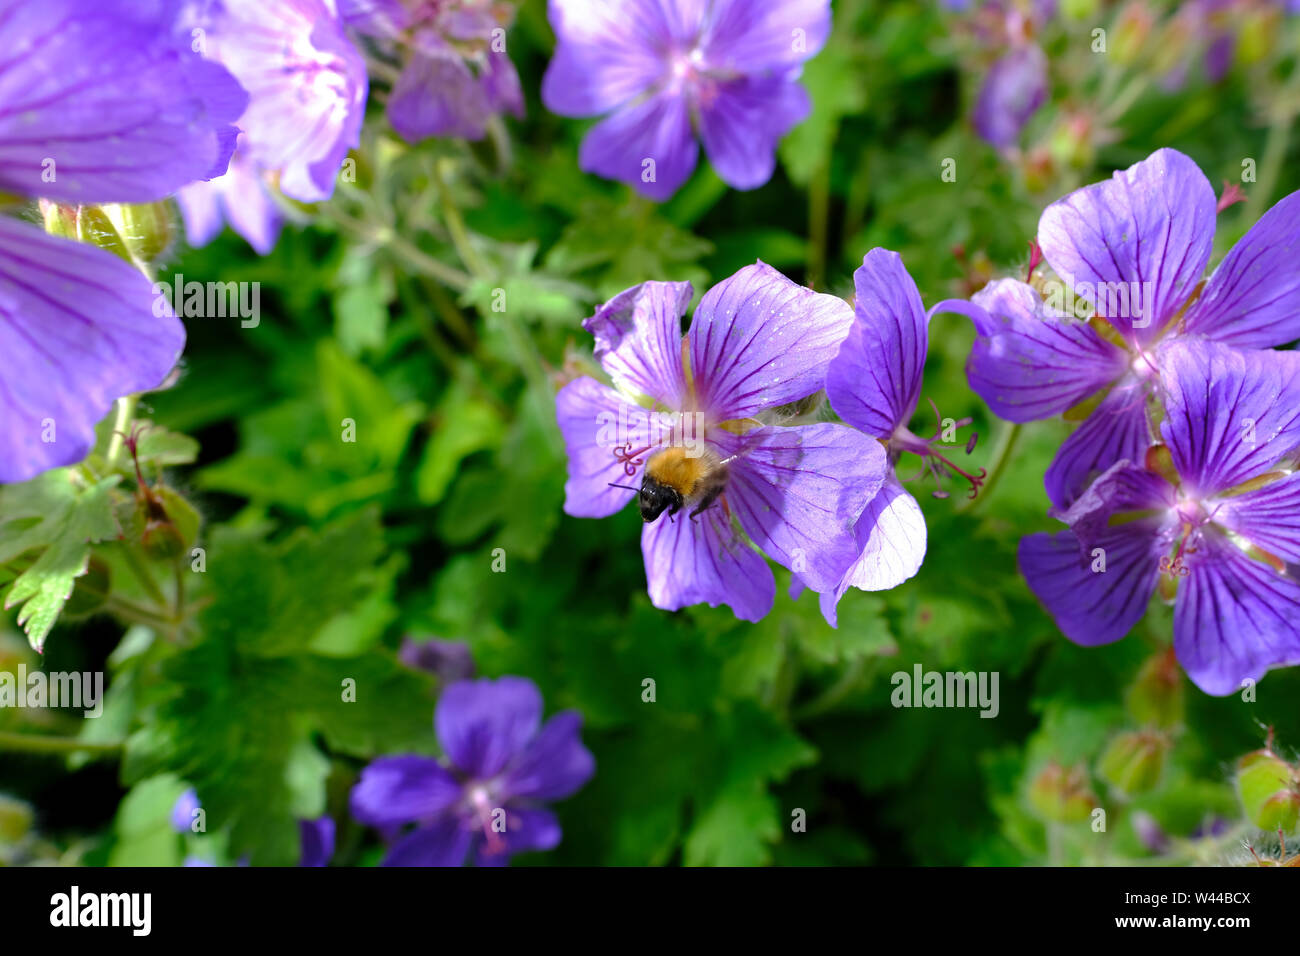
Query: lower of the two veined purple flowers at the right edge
column 1225, row 530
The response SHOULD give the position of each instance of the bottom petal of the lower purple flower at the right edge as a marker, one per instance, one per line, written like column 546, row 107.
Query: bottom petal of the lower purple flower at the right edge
column 1234, row 618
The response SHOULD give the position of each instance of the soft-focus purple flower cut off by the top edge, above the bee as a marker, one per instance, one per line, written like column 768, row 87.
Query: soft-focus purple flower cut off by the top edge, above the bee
column 669, row 71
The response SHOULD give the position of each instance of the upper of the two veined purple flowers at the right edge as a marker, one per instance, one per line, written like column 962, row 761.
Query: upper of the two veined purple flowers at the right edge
column 1136, row 249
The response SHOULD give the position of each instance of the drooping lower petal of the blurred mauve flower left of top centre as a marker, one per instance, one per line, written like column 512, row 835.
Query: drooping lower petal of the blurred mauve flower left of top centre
column 439, row 96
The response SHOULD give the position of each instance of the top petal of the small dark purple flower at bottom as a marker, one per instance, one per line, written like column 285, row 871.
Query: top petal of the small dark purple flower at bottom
column 484, row 725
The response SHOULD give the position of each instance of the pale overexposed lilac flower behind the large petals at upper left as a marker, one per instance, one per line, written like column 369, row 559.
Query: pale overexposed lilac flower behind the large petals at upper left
column 307, row 92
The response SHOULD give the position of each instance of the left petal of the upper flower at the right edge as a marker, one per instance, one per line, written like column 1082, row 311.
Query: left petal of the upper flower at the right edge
column 1030, row 365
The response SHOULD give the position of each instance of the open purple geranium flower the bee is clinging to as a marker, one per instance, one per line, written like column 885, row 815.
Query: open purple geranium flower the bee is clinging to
column 757, row 343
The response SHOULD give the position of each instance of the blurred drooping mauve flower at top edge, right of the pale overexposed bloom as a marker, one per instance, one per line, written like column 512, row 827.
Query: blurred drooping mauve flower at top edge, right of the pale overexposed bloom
column 457, row 73
